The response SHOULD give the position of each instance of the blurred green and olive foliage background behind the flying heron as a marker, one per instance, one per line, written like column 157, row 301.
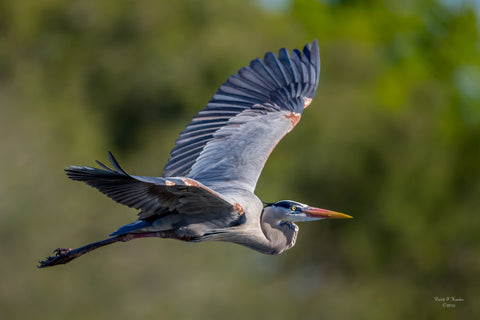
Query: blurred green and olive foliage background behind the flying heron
column 392, row 138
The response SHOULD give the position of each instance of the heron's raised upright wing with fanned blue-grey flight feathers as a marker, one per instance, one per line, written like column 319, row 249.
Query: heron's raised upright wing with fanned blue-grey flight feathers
column 227, row 144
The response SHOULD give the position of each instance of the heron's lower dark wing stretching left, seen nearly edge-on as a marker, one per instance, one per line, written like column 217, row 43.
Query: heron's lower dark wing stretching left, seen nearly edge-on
column 154, row 196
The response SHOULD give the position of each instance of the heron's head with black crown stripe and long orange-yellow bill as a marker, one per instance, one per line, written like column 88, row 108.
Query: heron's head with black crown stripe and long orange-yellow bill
column 296, row 212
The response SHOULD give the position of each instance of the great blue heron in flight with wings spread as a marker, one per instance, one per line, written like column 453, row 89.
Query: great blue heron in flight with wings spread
column 206, row 192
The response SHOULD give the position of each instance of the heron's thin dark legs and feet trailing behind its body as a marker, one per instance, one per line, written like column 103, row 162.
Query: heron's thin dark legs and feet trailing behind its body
column 63, row 255
